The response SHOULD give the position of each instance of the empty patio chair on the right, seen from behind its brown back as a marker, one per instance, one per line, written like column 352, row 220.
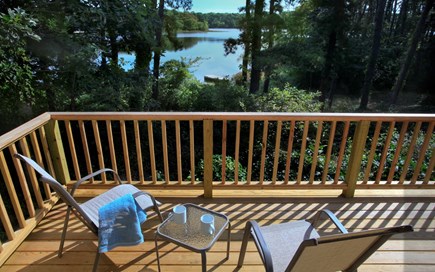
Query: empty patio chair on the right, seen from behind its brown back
column 297, row 246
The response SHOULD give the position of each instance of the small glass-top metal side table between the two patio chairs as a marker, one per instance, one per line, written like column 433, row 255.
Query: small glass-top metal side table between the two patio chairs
column 189, row 235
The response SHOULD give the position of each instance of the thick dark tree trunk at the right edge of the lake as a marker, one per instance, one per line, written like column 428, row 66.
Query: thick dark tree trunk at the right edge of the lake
column 256, row 47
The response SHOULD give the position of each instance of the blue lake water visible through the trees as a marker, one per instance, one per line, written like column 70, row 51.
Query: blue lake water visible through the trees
column 207, row 45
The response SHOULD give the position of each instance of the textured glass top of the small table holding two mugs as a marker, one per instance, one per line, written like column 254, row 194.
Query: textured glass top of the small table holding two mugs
column 190, row 233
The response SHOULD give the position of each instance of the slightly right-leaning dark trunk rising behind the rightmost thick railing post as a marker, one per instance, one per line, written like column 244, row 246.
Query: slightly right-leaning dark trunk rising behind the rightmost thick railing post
column 368, row 79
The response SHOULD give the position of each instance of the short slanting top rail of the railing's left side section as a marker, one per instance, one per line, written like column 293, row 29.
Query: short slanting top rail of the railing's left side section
column 23, row 130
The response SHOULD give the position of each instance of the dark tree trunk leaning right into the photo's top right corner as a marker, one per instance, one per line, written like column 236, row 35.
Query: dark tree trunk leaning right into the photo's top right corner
column 400, row 80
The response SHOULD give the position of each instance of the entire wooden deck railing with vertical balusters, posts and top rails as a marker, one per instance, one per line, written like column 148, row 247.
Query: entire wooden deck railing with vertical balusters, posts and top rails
column 212, row 151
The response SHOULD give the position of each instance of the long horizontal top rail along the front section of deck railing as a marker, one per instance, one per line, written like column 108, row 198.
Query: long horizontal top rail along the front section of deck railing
column 387, row 117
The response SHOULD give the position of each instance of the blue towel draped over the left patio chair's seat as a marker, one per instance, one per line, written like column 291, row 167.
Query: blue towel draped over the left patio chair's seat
column 119, row 224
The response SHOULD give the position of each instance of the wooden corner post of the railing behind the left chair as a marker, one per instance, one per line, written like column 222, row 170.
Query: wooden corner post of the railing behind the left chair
column 57, row 153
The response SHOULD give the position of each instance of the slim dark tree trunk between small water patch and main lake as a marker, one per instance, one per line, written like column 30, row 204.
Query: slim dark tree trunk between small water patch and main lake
column 158, row 50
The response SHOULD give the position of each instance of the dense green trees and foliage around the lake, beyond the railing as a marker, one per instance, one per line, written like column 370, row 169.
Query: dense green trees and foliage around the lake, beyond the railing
column 64, row 55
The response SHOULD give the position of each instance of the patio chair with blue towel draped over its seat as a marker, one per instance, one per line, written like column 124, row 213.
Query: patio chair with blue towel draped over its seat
column 87, row 212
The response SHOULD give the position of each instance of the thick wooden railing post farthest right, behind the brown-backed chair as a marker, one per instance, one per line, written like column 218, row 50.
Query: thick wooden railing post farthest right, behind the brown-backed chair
column 354, row 164
